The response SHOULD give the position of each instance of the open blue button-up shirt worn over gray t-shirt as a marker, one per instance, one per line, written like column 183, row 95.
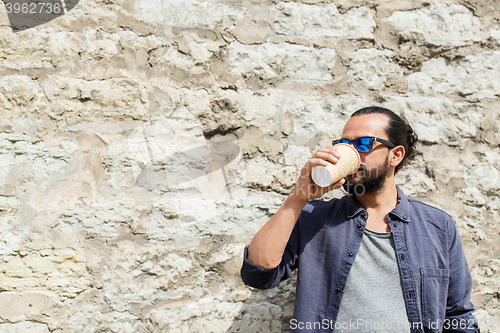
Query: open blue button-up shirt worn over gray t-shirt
column 435, row 277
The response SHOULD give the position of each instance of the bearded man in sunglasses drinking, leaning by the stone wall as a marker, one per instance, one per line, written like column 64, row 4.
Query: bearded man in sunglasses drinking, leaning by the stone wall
column 374, row 260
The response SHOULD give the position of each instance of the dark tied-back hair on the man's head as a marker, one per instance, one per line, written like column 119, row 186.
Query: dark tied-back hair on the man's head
column 398, row 131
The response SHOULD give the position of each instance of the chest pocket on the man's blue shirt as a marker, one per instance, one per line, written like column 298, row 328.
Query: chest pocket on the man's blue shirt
column 434, row 293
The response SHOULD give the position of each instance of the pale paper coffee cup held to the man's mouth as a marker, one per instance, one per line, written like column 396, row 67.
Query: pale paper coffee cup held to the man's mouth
column 347, row 165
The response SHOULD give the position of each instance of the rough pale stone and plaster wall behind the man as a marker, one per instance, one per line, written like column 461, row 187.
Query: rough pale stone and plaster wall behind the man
column 144, row 142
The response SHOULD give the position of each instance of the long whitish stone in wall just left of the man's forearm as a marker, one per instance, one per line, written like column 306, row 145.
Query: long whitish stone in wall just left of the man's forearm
column 183, row 220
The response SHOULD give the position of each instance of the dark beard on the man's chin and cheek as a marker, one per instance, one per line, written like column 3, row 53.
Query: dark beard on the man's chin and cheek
column 371, row 181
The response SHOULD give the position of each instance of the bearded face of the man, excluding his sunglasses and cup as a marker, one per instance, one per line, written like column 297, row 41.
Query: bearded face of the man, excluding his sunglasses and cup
column 372, row 173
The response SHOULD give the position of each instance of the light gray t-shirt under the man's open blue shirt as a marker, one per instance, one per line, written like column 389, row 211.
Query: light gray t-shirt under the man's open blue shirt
column 373, row 295
